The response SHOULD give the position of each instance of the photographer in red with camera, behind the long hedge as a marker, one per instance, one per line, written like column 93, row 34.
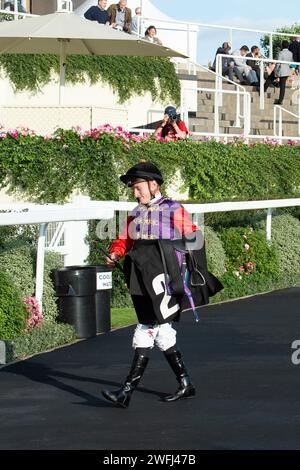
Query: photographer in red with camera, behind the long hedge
column 171, row 128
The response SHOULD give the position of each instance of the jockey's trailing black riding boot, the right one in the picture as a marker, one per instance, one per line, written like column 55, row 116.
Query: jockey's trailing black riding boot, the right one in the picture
column 186, row 388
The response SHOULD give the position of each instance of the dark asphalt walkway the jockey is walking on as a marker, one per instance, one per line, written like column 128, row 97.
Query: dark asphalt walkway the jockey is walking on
column 239, row 357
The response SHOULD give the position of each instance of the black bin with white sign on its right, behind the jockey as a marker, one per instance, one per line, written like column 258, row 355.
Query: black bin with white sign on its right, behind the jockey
column 84, row 298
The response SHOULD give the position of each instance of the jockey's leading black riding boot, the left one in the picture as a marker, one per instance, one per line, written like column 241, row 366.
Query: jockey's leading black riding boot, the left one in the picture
column 122, row 396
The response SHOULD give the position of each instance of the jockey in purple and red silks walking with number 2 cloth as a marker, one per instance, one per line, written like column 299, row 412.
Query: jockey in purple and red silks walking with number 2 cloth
column 154, row 268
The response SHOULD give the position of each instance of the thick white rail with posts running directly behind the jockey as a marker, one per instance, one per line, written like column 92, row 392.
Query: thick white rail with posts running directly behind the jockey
column 85, row 210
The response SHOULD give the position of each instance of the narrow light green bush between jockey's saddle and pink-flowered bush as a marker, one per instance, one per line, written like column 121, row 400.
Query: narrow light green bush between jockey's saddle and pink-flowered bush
column 215, row 252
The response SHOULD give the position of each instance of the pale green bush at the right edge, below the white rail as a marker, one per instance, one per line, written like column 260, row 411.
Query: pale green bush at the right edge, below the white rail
column 286, row 241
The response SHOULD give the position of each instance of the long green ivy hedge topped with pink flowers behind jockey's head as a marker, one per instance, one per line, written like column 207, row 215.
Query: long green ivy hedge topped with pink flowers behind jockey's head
column 211, row 171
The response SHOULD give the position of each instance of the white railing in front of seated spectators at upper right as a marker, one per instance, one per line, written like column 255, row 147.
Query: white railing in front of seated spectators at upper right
column 247, row 59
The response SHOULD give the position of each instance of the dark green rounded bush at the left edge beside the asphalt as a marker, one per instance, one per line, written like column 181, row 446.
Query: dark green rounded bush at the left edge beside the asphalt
column 13, row 313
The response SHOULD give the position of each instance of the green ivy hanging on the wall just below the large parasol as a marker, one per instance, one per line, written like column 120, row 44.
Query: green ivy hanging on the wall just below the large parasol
column 127, row 76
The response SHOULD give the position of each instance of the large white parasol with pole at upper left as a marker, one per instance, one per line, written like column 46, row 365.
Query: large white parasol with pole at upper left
column 63, row 33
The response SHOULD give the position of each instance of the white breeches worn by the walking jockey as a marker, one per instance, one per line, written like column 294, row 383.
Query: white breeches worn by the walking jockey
column 145, row 336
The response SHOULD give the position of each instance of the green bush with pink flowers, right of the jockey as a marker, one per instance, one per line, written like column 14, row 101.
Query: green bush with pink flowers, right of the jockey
column 244, row 246
